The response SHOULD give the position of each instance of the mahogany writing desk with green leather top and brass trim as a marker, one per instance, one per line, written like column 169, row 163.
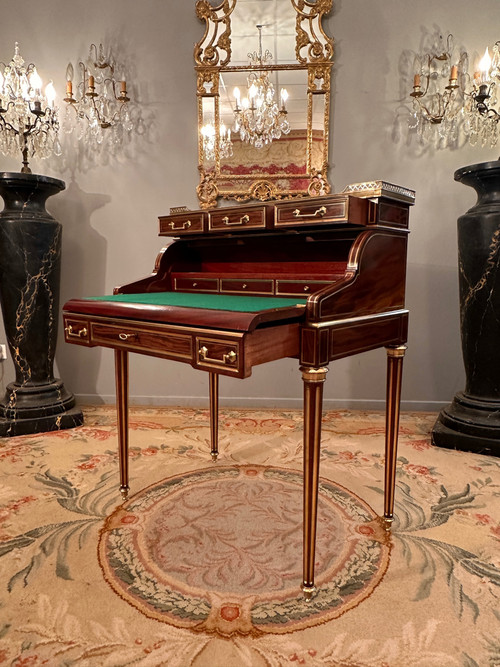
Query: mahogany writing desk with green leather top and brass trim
column 312, row 279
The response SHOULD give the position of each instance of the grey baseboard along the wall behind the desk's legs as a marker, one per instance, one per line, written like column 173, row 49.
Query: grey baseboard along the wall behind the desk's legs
column 261, row 402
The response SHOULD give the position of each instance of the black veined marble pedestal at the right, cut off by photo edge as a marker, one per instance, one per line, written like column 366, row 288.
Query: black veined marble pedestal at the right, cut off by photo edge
column 472, row 421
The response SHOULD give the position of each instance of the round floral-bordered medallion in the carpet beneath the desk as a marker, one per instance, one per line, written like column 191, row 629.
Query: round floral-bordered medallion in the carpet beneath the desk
column 219, row 550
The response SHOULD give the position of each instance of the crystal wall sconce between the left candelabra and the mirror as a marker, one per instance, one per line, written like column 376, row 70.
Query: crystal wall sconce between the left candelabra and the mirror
column 100, row 102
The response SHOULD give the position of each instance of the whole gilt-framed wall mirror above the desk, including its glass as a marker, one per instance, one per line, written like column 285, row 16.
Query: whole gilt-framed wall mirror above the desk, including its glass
column 263, row 92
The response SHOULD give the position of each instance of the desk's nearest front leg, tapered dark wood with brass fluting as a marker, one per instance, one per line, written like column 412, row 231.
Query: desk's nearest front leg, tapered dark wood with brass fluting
column 314, row 379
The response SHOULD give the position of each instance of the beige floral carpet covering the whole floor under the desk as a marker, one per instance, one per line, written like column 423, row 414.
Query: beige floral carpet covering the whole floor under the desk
column 201, row 567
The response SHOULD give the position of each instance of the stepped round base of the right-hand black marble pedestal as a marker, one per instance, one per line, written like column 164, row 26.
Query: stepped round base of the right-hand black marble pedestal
column 470, row 425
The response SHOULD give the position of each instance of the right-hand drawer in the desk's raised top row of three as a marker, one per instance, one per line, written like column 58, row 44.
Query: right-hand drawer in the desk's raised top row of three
column 303, row 212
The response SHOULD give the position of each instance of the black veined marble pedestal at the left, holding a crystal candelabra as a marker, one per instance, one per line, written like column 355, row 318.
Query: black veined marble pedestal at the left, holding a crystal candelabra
column 30, row 264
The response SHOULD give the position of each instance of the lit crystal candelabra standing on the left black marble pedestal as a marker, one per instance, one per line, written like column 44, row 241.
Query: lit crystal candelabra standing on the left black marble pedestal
column 28, row 117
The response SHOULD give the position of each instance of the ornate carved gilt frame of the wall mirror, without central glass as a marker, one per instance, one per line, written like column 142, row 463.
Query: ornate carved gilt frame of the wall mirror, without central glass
column 314, row 56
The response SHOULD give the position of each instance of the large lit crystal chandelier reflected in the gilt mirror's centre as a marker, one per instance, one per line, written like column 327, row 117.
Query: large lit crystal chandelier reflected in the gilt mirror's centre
column 258, row 117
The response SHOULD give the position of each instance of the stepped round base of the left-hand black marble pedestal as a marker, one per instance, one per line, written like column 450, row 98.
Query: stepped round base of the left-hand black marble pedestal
column 27, row 409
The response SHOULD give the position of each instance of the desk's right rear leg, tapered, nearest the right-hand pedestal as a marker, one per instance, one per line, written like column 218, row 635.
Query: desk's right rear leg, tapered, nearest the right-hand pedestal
column 395, row 357
